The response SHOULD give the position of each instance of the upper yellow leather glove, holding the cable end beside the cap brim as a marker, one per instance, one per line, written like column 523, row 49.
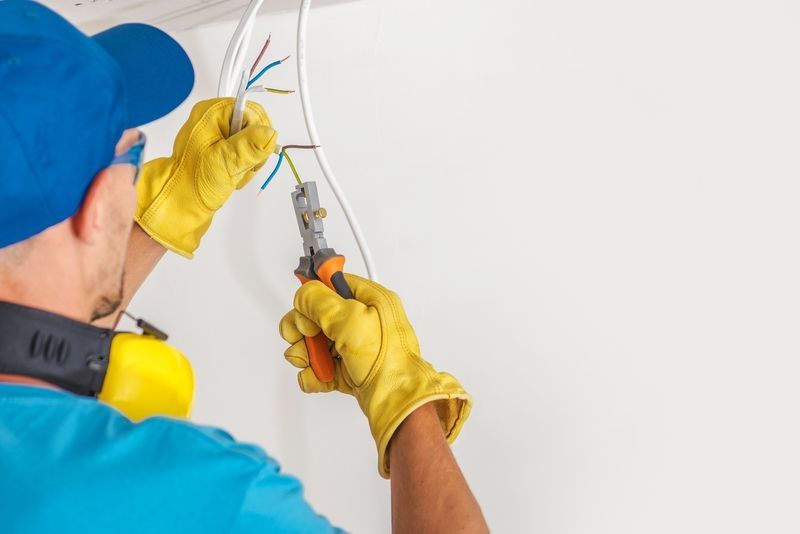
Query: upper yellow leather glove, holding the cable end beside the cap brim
column 179, row 195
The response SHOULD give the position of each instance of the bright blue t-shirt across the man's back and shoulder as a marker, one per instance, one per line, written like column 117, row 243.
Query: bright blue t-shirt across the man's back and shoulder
column 70, row 464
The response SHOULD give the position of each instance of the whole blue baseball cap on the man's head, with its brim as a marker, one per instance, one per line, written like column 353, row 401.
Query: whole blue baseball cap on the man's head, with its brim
column 65, row 100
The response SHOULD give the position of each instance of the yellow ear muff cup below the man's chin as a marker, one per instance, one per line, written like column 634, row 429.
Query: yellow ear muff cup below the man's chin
column 146, row 377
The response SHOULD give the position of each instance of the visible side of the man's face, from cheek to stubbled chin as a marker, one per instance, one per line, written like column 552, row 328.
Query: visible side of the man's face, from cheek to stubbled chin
column 120, row 198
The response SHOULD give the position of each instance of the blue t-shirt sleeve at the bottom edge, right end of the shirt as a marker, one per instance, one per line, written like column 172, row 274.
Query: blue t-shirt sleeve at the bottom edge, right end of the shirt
column 274, row 502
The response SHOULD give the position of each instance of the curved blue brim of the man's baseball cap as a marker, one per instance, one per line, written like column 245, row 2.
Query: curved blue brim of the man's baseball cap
column 157, row 72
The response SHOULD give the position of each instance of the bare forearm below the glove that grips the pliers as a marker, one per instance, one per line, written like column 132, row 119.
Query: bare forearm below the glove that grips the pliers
column 429, row 492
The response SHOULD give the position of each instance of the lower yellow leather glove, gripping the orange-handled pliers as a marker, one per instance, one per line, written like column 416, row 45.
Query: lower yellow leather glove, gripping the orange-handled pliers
column 377, row 359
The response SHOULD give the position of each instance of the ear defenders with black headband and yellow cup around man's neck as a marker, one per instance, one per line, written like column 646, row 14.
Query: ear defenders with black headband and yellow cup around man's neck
column 139, row 374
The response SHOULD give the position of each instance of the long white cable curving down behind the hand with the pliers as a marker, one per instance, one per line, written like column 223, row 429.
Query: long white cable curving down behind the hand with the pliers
column 302, row 25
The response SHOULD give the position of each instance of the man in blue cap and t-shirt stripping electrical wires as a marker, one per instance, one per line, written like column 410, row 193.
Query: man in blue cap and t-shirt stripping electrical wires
column 71, row 255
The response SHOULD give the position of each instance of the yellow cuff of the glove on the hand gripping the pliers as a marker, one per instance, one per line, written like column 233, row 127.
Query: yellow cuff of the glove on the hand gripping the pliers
column 453, row 409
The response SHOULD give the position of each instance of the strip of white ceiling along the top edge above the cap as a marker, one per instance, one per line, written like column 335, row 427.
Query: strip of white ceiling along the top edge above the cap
column 173, row 15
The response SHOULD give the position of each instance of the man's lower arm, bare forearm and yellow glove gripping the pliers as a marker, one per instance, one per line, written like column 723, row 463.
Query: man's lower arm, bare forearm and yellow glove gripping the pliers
column 413, row 410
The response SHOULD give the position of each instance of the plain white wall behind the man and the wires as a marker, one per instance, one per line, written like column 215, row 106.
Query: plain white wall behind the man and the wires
column 590, row 210
